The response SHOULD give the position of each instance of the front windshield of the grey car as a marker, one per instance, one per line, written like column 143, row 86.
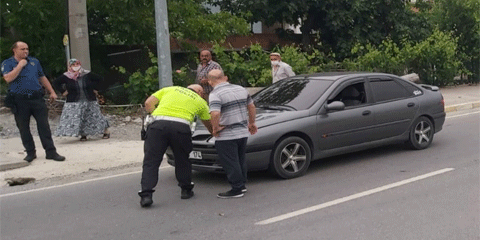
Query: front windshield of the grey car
column 291, row 94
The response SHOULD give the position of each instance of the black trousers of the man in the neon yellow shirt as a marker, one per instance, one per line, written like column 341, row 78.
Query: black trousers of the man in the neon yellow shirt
column 160, row 135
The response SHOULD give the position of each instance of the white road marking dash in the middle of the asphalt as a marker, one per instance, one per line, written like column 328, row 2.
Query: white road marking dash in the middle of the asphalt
column 351, row 197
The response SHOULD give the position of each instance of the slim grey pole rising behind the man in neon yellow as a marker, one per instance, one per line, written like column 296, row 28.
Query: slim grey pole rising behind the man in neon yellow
column 163, row 44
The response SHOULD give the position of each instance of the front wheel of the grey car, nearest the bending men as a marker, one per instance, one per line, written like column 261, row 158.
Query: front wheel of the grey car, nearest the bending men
column 291, row 158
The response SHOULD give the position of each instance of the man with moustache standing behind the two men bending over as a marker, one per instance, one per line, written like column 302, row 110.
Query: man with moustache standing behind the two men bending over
column 205, row 66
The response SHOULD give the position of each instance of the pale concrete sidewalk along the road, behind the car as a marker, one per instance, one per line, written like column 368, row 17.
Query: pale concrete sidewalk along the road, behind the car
column 99, row 154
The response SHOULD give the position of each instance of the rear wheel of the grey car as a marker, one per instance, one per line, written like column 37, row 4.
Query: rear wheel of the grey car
column 421, row 133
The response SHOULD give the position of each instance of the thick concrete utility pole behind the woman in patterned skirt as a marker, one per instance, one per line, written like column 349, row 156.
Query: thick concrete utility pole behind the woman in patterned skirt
column 78, row 31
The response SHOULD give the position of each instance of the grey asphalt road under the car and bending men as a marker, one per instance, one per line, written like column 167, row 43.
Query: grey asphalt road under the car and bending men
column 385, row 193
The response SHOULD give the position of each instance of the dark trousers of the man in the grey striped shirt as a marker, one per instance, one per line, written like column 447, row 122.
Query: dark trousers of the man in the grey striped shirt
column 231, row 155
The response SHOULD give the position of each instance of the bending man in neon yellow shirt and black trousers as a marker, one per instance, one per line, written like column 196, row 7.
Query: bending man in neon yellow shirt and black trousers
column 177, row 107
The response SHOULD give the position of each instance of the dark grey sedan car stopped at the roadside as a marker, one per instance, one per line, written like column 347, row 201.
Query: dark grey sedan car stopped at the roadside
column 310, row 117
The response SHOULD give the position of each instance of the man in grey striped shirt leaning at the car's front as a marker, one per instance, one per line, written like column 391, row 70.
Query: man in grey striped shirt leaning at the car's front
column 233, row 117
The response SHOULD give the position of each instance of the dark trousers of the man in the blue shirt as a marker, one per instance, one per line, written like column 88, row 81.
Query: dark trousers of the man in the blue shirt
column 25, row 108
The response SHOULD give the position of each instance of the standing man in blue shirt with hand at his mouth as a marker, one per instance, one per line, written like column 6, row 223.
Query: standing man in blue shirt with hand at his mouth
column 24, row 75
